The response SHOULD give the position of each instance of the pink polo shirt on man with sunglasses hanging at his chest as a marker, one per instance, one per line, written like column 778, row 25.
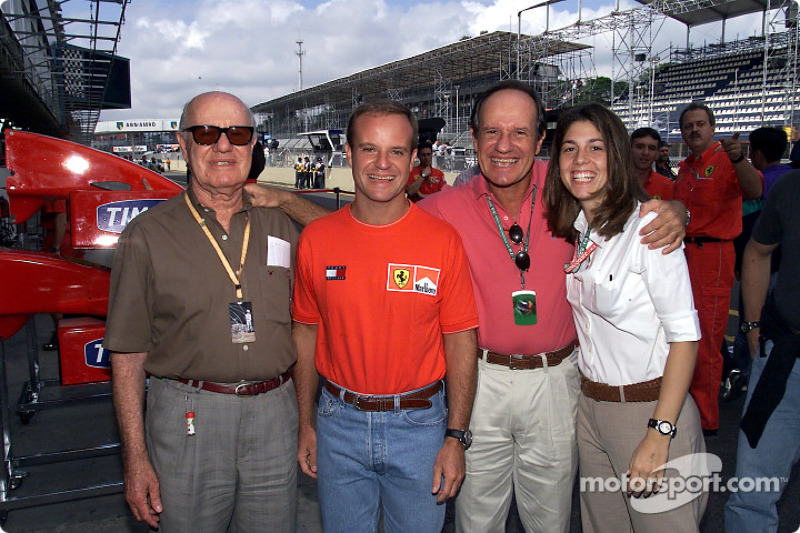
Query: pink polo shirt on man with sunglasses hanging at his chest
column 494, row 274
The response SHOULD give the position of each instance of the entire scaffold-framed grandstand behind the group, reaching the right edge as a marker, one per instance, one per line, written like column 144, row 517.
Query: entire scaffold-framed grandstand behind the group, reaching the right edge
column 749, row 82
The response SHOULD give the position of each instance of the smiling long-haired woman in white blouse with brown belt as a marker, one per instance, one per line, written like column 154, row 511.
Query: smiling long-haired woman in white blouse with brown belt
column 638, row 333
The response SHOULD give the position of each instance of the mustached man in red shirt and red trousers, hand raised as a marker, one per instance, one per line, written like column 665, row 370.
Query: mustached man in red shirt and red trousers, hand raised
column 711, row 183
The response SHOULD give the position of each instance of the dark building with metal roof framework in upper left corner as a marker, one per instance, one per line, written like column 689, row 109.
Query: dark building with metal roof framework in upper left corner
column 57, row 55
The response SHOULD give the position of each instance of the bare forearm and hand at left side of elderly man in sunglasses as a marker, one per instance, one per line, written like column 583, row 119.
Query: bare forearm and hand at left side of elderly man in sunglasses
column 141, row 483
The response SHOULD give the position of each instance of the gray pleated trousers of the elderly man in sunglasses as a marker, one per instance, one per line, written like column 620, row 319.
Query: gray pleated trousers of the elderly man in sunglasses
column 238, row 473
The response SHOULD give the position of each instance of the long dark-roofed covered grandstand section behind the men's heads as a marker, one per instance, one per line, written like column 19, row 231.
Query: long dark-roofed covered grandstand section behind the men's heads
column 440, row 83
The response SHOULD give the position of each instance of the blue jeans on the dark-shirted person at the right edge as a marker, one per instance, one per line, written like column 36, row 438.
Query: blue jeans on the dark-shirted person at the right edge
column 779, row 448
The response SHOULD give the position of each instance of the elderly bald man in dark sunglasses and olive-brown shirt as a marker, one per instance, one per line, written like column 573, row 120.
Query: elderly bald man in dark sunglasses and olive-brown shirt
column 199, row 300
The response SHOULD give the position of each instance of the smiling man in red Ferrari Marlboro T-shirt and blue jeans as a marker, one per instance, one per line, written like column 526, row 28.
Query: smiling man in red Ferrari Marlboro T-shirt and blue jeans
column 384, row 325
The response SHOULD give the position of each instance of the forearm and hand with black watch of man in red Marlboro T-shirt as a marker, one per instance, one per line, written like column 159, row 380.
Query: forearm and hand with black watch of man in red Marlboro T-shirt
column 461, row 354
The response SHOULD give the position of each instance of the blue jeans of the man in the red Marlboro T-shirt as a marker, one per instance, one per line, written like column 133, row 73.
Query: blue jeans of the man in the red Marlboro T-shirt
column 368, row 459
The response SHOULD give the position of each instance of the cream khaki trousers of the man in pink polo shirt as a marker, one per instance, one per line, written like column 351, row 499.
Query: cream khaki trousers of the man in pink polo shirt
column 523, row 425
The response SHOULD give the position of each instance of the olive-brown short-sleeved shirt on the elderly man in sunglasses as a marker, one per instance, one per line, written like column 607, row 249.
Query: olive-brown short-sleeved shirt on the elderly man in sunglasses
column 170, row 293
